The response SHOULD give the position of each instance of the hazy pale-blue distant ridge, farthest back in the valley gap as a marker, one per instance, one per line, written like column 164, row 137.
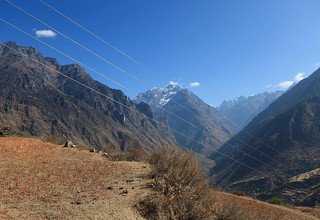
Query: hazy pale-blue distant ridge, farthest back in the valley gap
column 243, row 109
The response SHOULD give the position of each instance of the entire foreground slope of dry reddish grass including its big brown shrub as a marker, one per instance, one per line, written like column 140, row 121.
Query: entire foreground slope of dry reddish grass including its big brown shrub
column 44, row 181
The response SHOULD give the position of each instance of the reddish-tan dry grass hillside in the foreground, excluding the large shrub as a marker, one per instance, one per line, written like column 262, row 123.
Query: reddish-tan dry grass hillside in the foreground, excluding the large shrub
column 45, row 181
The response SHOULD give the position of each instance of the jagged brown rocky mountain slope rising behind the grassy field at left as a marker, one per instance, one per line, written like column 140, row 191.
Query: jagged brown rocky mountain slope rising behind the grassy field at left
column 37, row 101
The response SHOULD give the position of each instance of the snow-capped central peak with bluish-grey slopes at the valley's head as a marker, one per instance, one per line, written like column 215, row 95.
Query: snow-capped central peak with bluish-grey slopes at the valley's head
column 211, row 128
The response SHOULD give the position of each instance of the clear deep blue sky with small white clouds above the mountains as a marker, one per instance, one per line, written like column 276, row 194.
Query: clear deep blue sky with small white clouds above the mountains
column 218, row 49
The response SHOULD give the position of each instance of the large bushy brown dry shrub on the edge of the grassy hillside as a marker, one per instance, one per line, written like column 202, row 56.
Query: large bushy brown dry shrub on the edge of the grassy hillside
column 184, row 192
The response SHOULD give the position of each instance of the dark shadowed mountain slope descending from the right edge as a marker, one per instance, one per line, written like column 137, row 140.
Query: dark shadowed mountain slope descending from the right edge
column 281, row 142
